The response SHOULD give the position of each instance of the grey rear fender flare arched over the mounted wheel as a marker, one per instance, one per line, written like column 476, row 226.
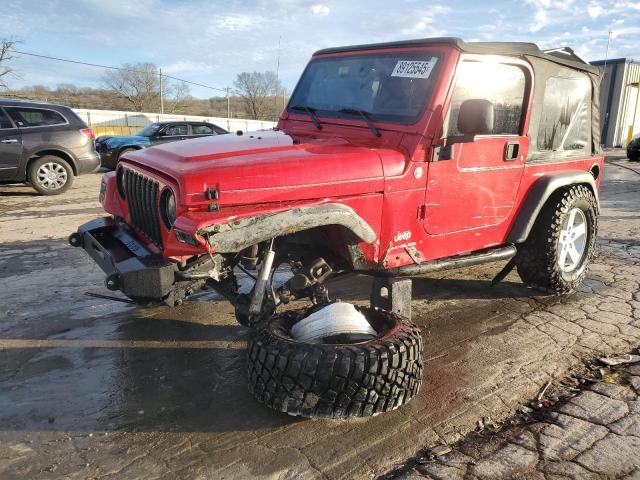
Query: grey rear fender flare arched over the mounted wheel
column 538, row 195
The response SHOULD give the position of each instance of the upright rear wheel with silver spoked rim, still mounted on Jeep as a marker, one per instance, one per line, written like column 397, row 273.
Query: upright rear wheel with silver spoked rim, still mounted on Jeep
column 557, row 253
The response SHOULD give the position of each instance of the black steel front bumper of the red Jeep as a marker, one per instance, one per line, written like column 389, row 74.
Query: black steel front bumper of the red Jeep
column 130, row 267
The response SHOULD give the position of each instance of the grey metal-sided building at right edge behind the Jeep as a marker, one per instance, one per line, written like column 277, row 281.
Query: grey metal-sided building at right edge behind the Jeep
column 619, row 100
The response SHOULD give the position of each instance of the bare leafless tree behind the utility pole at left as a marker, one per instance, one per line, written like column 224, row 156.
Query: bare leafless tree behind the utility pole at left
column 139, row 85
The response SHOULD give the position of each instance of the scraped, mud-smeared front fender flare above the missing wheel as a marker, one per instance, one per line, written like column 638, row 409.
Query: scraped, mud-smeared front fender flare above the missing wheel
column 242, row 233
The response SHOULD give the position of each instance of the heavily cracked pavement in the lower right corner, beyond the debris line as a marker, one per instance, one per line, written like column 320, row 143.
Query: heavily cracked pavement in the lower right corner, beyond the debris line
column 590, row 434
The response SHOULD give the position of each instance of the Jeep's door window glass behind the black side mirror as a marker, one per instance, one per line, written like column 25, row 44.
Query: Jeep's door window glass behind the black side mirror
column 503, row 85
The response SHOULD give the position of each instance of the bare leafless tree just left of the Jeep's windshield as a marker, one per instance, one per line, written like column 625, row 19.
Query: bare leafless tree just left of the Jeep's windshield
column 257, row 91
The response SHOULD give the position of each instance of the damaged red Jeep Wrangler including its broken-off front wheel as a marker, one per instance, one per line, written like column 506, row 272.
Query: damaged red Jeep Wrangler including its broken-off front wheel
column 391, row 160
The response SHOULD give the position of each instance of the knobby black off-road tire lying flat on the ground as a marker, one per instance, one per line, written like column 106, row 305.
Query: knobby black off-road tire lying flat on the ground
column 339, row 380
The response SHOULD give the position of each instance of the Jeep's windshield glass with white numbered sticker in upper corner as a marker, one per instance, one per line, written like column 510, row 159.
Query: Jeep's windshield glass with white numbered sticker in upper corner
column 389, row 87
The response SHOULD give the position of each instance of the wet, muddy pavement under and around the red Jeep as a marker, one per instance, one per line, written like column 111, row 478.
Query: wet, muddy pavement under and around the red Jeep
column 92, row 388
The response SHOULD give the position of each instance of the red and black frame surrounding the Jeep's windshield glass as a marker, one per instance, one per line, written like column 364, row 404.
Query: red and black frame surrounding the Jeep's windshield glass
column 434, row 76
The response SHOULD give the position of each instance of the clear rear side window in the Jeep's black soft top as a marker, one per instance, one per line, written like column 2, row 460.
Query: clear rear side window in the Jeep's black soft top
column 564, row 121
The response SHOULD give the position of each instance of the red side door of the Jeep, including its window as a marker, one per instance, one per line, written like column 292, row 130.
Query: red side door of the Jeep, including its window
column 473, row 180
